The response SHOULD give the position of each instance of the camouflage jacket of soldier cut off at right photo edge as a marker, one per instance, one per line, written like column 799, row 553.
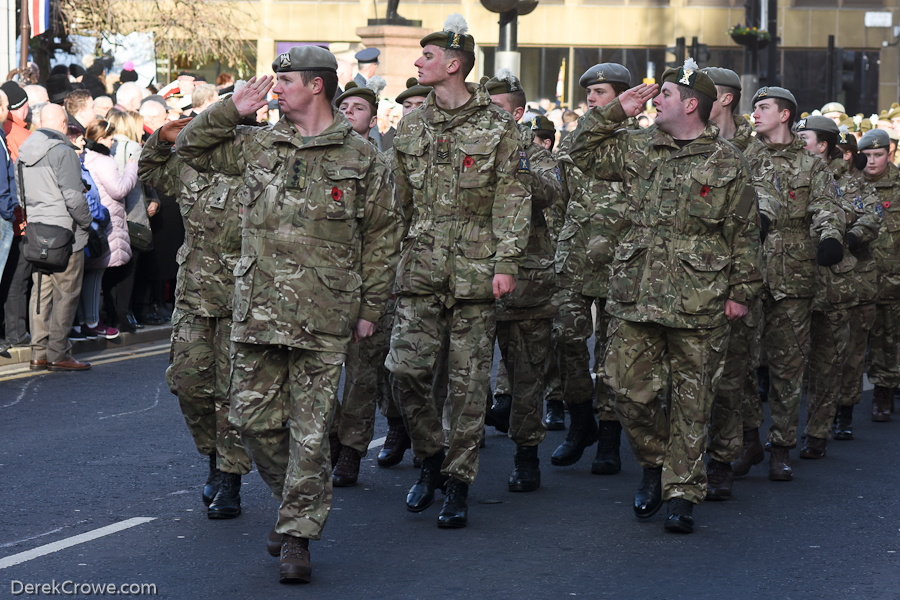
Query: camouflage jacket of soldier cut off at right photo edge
column 886, row 247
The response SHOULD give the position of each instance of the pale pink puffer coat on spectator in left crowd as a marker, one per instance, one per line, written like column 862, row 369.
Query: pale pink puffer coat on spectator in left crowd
column 113, row 190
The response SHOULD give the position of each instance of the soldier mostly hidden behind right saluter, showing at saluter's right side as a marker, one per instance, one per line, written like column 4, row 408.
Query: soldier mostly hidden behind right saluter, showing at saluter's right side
column 738, row 387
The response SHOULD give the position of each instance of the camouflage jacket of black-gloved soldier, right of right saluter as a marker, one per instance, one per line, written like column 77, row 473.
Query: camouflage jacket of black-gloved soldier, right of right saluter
column 809, row 214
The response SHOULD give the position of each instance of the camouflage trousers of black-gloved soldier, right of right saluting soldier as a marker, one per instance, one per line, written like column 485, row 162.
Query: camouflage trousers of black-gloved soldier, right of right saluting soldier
column 786, row 341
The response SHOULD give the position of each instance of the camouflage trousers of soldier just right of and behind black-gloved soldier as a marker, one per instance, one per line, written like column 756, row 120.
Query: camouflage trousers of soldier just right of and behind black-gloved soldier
column 829, row 342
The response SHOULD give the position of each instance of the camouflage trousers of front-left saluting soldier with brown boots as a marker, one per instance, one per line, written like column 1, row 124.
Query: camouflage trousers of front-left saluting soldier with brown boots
column 282, row 403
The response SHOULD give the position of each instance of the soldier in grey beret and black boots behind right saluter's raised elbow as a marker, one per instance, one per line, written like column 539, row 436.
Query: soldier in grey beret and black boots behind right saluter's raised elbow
column 593, row 225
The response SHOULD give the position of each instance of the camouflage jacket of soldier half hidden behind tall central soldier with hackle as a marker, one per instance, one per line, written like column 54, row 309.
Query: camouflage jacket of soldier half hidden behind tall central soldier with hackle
column 535, row 293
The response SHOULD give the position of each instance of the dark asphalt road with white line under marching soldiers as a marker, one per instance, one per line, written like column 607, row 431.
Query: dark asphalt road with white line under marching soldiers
column 81, row 452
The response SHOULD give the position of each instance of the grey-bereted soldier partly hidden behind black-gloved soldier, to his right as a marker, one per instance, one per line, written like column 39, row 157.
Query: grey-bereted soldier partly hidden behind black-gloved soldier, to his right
column 836, row 295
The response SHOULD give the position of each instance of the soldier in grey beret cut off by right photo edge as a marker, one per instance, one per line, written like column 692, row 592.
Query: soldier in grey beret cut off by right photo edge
column 884, row 343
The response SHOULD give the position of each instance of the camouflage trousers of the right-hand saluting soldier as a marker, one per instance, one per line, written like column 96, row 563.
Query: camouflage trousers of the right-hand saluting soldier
column 640, row 359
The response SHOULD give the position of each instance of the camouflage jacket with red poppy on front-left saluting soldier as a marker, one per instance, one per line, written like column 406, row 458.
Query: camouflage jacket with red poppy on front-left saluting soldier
column 320, row 227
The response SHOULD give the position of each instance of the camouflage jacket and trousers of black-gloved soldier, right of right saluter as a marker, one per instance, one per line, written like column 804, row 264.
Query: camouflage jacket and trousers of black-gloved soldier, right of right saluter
column 809, row 214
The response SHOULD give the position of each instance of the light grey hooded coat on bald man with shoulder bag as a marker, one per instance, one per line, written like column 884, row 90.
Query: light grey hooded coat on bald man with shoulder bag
column 52, row 186
